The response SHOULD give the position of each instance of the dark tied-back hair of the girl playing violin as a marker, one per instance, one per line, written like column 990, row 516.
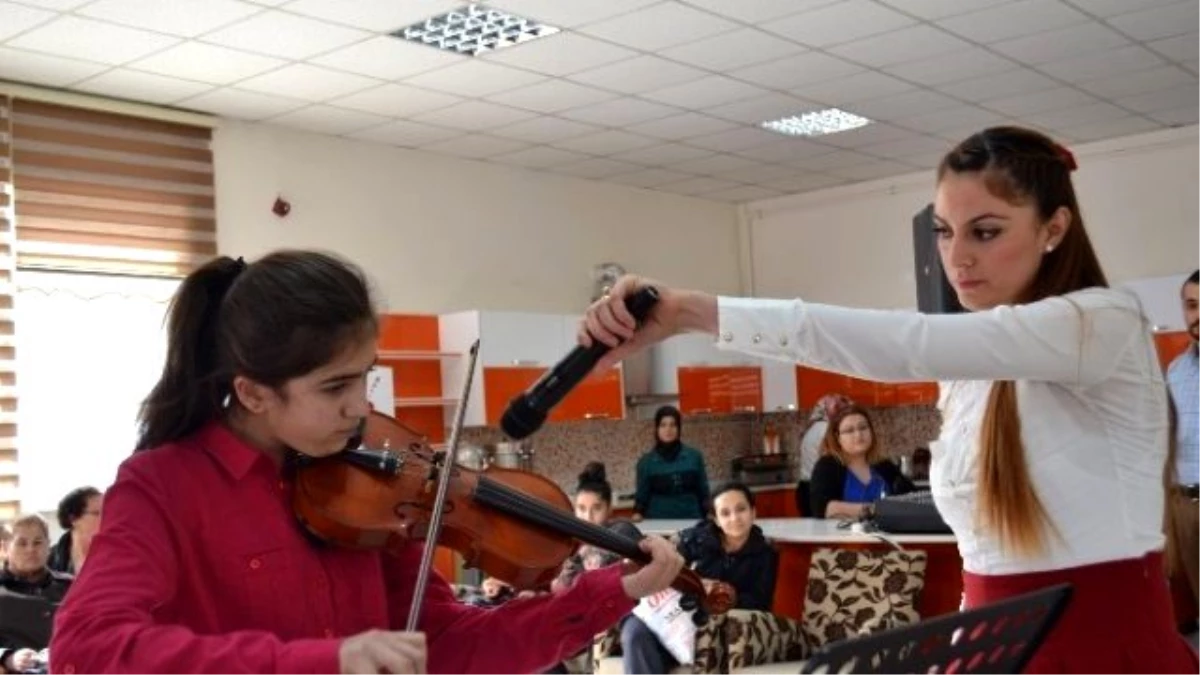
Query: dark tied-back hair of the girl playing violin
column 273, row 320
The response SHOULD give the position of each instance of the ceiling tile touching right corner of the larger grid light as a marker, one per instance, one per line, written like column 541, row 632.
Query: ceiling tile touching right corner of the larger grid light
column 659, row 27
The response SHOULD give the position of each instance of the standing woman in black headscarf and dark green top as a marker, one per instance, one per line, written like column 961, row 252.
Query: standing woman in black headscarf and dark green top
column 671, row 479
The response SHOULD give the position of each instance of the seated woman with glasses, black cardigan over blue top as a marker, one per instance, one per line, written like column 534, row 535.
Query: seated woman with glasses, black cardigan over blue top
column 853, row 475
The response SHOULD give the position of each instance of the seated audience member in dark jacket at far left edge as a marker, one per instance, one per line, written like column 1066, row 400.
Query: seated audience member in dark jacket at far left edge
column 29, row 594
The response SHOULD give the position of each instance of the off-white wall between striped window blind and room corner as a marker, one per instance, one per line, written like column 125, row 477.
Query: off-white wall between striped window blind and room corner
column 441, row 235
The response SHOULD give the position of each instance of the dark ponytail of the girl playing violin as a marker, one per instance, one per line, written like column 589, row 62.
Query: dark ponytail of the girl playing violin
column 191, row 390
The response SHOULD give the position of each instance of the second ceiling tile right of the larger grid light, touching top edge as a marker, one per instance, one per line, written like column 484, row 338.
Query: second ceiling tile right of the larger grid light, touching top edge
column 839, row 23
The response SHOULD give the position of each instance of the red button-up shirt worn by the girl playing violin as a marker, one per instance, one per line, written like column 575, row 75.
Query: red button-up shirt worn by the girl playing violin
column 201, row 568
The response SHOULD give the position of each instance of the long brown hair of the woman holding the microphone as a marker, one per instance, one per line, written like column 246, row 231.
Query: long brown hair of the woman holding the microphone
column 1023, row 166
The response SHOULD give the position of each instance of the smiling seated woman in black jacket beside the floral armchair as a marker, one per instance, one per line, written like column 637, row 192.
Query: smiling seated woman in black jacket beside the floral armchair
column 730, row 548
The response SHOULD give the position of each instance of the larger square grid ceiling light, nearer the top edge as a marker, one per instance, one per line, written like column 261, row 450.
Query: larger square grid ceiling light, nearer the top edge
column 475, row 29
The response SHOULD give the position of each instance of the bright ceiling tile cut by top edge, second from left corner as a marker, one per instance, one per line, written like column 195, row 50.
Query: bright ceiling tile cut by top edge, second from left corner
column 187, row 19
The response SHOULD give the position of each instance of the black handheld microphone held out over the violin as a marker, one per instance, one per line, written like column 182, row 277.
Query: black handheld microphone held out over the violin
column 527, row 413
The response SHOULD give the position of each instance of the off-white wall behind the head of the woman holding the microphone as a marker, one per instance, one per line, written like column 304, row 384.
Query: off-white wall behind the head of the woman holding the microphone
column 854, row 246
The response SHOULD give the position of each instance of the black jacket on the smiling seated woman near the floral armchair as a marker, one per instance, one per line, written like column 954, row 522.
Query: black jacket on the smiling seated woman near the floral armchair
column 751, row 570
